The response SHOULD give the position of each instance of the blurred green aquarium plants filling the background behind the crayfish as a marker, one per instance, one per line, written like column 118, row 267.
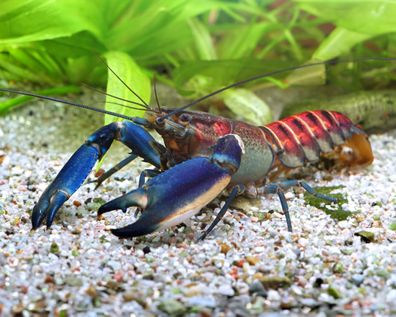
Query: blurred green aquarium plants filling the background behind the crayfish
column 195, row 47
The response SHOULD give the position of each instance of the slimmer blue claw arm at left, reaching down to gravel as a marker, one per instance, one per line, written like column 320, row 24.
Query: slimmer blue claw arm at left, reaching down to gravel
column 76, row 170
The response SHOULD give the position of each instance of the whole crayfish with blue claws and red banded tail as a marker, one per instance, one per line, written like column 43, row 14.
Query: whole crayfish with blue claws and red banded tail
column 202, row 156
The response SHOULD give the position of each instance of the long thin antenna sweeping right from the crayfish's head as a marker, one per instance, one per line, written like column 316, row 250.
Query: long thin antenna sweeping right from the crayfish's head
column 276, row 72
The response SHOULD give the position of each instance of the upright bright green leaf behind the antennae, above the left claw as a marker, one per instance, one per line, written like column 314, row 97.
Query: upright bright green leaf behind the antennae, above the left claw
column 127, row 69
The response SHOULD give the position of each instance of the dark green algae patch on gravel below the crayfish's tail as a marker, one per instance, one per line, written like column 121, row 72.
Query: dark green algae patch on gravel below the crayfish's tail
column 333, row 209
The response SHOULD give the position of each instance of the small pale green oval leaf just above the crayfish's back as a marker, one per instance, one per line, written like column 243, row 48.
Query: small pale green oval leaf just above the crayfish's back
column 247, row 106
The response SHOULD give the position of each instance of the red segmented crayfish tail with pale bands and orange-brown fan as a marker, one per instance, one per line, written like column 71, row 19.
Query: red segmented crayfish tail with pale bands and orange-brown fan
column 304, row 137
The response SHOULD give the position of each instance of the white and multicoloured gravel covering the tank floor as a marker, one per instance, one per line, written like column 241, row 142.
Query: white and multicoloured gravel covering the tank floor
column 249, row 265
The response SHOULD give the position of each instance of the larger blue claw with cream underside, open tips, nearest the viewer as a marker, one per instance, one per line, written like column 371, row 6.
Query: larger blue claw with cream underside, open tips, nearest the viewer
column 180, row 192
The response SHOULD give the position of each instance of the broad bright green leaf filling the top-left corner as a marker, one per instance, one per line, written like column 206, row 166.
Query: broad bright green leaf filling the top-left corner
column 35, row 20
